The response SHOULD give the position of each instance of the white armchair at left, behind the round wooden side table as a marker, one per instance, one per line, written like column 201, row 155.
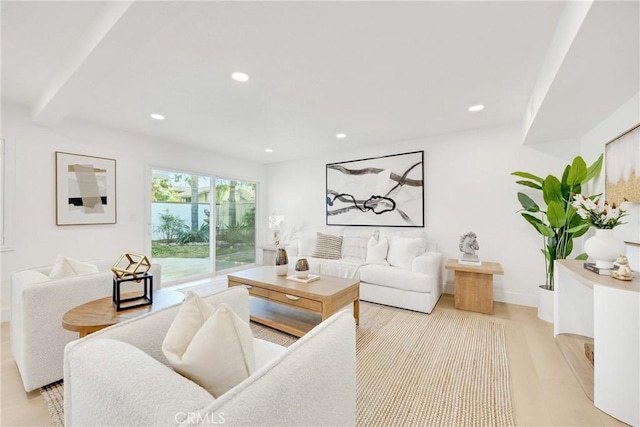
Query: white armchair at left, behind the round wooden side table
column 37, row 306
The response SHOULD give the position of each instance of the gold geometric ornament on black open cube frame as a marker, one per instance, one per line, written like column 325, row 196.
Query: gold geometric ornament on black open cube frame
column 136, row 270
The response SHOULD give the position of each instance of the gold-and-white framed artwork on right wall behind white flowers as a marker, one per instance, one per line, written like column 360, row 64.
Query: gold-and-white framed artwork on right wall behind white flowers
column 622, row 180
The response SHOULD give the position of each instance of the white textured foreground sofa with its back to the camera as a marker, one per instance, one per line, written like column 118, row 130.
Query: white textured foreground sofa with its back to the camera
column 119, row 376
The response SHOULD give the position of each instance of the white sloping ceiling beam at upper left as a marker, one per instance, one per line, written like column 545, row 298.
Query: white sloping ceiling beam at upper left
column 121, row 29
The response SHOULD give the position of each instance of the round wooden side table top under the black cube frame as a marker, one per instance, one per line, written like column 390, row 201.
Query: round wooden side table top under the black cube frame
column 98, row 314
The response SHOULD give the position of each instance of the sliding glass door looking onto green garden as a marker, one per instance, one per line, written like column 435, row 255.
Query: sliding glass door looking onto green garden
column 201, row 224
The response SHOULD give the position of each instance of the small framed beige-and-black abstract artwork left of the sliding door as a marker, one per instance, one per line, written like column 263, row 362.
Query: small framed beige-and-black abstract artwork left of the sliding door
column 85, row 189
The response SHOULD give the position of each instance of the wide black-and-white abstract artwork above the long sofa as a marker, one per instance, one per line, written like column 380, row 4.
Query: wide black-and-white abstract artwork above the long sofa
column 381, row 191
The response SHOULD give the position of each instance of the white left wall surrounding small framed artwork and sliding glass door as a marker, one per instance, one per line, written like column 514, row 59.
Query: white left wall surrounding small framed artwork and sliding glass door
column 36, row 237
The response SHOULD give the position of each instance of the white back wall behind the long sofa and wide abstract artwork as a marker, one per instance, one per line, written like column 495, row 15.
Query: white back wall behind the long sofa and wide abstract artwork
column 468, row 187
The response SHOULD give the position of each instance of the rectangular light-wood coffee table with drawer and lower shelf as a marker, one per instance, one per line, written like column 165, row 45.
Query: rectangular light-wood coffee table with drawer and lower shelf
column 295, row 307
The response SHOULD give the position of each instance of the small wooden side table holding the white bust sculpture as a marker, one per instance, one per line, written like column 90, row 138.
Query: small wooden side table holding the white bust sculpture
column 474, row 285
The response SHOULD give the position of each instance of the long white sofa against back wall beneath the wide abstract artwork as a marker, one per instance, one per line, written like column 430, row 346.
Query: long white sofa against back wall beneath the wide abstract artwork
column 416, row 285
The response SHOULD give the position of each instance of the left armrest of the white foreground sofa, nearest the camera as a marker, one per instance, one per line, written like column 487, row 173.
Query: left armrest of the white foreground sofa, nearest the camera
column 100, row 387
